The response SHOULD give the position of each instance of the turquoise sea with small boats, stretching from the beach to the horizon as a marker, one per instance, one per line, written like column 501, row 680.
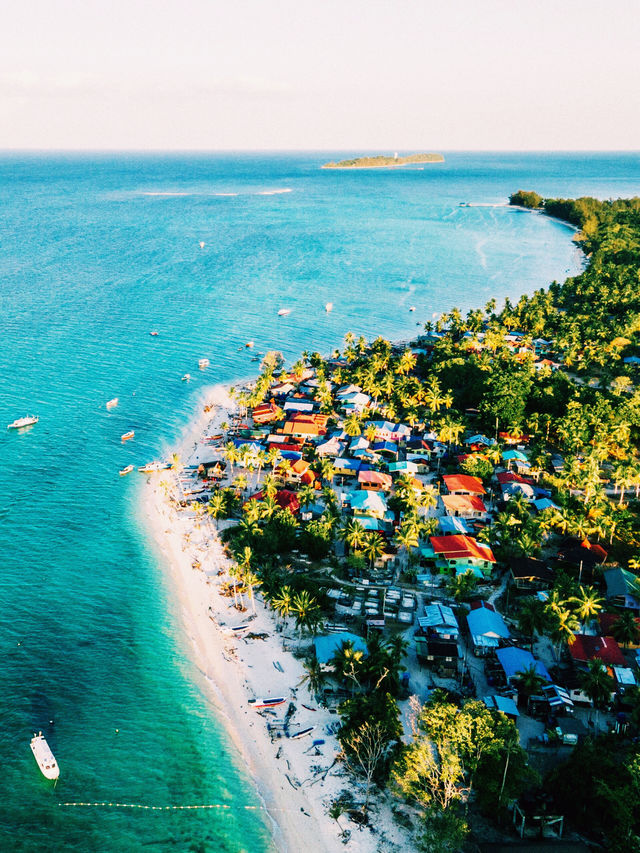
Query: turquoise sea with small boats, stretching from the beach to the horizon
column 95, row 252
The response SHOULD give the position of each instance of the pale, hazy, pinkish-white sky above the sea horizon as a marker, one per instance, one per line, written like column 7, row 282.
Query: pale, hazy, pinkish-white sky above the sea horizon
column 341, row 74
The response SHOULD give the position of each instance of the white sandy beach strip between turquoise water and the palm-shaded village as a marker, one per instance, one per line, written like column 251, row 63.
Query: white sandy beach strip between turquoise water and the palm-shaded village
column 295, row 780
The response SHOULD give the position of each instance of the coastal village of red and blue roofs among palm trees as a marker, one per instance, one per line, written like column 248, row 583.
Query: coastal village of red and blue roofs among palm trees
column 456, row 576
